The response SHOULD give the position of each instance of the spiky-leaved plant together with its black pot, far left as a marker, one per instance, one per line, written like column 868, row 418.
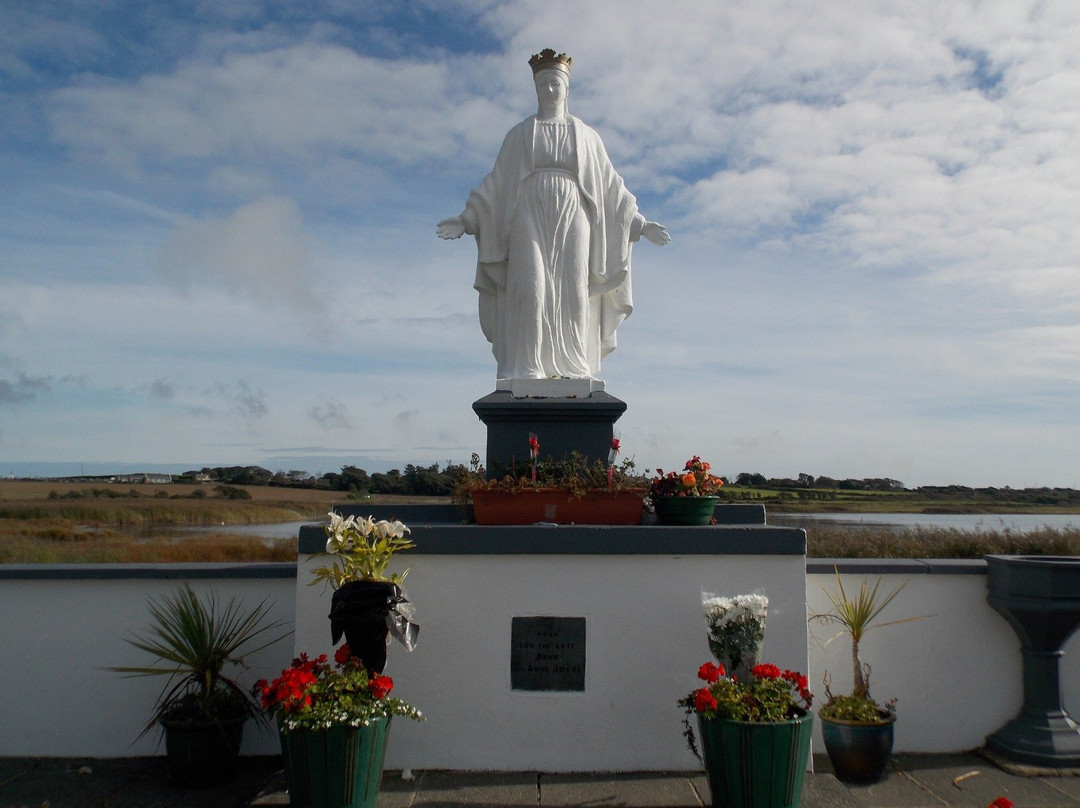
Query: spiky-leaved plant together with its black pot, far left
column 201, row 709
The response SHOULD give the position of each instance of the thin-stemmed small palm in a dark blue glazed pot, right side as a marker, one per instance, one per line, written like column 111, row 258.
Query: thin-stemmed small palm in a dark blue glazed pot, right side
column 858, row 730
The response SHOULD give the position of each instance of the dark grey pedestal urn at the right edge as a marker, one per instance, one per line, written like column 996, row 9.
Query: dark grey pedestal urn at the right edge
column 1041, row 598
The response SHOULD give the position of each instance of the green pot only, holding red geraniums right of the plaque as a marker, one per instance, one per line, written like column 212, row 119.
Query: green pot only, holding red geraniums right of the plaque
column 757, row 764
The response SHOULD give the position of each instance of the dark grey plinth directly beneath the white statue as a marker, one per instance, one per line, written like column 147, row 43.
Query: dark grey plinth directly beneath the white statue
column 563, row 426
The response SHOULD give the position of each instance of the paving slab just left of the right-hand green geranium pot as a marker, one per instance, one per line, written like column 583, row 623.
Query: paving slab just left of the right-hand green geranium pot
column 644, row 790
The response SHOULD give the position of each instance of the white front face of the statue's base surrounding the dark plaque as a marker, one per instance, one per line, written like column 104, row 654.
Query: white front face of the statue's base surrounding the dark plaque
column 645, row 642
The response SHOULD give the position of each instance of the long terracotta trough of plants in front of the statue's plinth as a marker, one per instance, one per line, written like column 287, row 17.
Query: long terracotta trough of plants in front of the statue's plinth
column 572, row 491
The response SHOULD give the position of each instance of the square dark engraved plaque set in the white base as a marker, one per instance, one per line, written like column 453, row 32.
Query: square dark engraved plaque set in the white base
column 548, row 654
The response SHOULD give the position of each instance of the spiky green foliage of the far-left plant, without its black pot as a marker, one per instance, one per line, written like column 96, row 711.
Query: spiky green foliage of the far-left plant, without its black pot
column 193, row 641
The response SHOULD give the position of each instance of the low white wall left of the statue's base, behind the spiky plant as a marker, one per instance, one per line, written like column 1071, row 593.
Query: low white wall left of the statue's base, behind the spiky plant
column 59, row 636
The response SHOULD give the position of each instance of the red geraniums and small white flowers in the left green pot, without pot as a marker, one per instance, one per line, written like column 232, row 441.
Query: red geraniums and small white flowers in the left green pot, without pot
column 313, row 695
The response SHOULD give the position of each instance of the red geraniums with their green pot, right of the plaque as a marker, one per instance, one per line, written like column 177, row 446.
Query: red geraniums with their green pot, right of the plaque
column 755, row 735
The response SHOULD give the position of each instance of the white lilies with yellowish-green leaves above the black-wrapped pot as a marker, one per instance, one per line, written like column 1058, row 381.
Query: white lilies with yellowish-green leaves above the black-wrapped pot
column 362, row 550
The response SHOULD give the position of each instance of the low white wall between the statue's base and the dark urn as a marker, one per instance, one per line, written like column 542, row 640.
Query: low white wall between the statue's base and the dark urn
column 956, row 676
